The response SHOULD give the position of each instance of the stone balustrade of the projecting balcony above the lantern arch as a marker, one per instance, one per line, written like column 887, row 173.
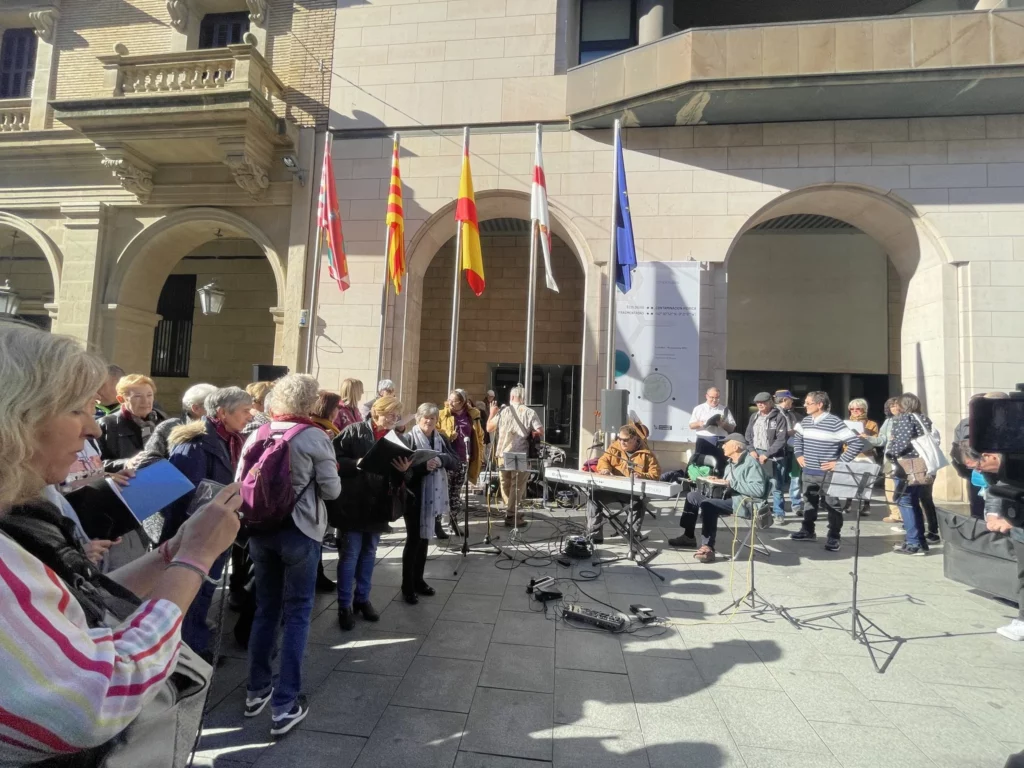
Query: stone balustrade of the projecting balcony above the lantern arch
column 232, row 69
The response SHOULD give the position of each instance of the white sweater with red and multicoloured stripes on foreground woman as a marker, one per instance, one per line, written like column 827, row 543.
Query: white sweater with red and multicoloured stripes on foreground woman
column 65, row 687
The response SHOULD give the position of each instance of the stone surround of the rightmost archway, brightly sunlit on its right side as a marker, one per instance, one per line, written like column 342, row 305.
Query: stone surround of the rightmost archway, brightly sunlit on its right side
column 929, row 331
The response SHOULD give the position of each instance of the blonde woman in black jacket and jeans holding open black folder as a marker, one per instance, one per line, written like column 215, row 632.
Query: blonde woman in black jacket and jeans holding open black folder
column 370, row 503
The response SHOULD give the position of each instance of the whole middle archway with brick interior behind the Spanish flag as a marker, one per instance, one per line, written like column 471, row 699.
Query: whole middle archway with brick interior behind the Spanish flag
column 493, row 327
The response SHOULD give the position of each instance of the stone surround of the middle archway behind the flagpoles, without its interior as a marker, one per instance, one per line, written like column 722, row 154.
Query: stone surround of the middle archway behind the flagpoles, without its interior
column 402, row 350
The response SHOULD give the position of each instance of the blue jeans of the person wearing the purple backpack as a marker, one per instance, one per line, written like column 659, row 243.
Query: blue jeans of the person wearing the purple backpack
column 286, row 580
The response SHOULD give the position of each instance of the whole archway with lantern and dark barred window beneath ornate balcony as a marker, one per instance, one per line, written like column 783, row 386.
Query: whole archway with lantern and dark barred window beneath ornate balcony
column 154, row 322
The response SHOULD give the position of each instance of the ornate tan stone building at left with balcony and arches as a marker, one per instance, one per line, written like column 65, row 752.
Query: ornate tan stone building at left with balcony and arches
column 154, row 131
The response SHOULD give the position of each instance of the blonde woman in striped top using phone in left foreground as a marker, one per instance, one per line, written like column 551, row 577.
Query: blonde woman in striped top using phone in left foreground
column 83, row 655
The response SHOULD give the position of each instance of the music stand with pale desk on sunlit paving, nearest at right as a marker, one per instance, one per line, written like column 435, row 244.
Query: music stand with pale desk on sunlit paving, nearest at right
column 855, row 481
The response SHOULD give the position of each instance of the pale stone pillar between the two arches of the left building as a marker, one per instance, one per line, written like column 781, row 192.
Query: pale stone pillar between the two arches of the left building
column 80, row 289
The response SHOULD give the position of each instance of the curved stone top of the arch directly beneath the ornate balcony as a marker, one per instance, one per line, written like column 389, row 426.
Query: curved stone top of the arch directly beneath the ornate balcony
column 151, row 255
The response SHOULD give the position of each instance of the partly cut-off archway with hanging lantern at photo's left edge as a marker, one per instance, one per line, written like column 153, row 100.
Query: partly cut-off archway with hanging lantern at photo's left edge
column 31, row 265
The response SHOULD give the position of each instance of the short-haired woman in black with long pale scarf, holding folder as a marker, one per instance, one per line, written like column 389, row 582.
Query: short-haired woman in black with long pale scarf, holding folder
column 430, row 488
